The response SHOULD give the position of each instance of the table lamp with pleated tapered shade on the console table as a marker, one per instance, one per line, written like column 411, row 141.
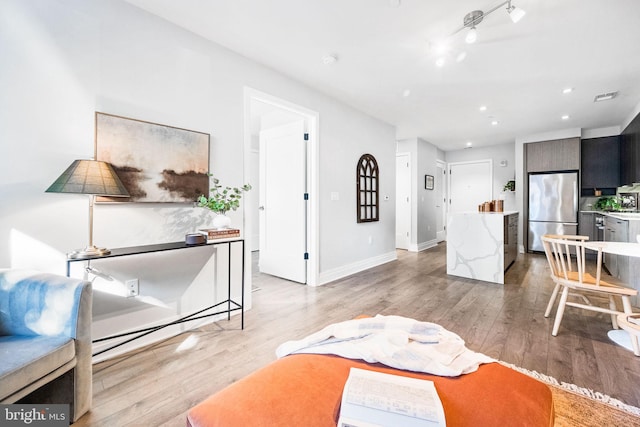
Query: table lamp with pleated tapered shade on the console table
column 94, row 178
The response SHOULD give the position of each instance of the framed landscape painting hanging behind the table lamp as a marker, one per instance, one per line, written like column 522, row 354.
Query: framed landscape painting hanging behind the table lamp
column 156, row 163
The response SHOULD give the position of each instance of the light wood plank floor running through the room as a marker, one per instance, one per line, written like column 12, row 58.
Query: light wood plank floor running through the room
column 158, row 385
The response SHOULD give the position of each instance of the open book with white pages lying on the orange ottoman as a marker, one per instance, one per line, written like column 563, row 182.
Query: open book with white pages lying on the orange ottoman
column 376, row 399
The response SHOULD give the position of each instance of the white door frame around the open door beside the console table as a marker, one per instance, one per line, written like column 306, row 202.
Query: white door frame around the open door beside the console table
column 312, row 118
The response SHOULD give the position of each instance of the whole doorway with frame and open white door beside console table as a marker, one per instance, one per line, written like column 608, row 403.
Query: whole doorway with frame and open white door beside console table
column 265, row 157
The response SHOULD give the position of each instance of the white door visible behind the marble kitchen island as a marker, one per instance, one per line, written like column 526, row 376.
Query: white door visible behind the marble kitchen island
column 470, row 184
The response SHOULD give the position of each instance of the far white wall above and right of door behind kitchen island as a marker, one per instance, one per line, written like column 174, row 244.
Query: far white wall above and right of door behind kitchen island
column 501, row 174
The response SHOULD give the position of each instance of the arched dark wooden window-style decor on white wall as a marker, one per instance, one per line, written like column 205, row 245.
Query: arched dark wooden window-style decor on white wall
column 368, row 182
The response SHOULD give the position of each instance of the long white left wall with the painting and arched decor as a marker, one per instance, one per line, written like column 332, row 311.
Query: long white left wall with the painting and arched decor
column 65, row 59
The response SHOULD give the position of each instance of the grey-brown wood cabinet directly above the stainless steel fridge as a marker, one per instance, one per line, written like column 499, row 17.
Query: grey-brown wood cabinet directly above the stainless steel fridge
column 556, row 155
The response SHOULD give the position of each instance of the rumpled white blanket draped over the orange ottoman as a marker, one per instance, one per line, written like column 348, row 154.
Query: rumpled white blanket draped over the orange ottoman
column 394, row 341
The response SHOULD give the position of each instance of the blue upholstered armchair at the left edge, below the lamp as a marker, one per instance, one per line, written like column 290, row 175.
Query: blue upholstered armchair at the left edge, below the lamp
column 45, row 340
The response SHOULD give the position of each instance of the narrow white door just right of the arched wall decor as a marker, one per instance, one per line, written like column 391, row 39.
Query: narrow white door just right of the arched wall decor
column 403, row 200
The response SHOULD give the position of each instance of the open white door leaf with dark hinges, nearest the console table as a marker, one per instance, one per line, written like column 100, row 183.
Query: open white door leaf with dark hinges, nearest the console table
column 282, row 203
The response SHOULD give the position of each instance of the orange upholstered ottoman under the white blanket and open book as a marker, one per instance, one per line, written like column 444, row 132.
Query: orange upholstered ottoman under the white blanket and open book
column 306, row 390
